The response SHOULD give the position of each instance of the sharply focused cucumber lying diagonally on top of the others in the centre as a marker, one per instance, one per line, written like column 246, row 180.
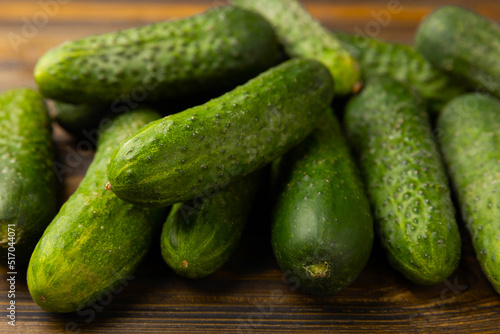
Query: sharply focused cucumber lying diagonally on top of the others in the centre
column 203, row 148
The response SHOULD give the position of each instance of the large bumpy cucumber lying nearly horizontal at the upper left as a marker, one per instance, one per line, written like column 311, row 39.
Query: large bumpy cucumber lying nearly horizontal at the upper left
column 220, row 48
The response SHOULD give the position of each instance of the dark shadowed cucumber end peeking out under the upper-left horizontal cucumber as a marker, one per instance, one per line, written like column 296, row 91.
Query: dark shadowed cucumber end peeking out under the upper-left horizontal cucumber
column 78, row 119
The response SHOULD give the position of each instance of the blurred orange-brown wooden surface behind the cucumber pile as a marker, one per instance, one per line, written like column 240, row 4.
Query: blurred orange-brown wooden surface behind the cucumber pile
column 30, row 27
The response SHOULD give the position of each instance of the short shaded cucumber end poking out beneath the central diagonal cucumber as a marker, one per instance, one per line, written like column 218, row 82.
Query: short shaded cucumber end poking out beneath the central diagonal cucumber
column 200, row 235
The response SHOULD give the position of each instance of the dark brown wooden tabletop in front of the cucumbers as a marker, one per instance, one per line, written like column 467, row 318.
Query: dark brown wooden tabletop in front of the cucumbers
column 250, row 294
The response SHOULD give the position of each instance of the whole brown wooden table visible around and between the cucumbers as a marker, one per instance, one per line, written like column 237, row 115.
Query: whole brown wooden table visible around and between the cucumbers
column 249, row 294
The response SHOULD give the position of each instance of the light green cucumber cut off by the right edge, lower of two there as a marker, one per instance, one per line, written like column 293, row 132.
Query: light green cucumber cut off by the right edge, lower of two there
column 470, row 141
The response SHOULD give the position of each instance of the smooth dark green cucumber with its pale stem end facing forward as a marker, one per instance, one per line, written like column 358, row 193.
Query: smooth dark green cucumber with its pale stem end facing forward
column 322, row 231
